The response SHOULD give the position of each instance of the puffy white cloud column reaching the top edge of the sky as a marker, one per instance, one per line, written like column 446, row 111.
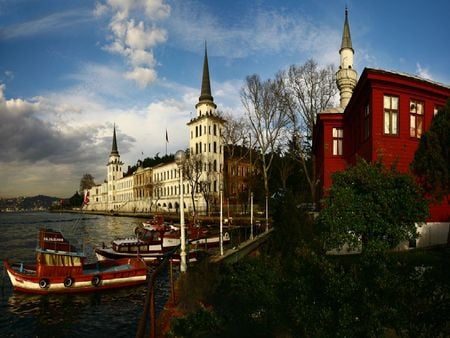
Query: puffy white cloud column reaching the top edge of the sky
column 133, row 24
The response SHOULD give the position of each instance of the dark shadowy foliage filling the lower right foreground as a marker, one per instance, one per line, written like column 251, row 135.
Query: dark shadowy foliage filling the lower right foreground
column 297, row 291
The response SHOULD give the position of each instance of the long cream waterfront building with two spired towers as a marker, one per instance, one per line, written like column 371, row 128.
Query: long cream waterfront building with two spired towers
column 155, row 189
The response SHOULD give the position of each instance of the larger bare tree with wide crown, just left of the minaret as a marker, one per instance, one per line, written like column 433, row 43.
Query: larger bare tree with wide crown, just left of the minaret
column 305, row 91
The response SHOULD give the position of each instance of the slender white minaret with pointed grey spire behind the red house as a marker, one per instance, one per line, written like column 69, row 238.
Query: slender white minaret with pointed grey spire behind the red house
column 346, row 76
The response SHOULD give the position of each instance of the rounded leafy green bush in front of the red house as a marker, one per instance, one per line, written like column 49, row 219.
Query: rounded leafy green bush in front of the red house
column 371, row 206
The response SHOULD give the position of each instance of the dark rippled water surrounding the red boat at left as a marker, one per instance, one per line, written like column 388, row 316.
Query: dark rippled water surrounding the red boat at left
column 103, row 314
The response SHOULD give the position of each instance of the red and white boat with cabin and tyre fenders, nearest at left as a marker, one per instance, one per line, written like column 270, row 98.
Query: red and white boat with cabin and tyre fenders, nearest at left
column 61, row 268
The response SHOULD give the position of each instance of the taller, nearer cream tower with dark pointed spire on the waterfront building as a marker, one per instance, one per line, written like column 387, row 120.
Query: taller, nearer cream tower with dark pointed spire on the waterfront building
column 205, row 134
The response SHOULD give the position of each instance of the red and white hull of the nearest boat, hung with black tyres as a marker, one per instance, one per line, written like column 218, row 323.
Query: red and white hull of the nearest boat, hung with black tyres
column 95, row 277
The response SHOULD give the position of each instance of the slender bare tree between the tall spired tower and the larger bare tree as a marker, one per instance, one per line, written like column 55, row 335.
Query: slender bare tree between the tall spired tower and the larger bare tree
column 267, row 122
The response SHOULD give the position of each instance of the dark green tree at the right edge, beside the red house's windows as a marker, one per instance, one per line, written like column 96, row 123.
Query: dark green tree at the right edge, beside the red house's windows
column 432, row 159
